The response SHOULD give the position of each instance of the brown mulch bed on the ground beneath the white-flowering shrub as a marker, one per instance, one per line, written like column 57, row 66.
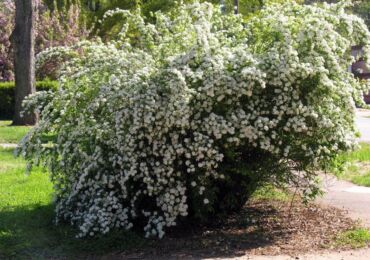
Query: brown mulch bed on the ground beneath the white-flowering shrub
column 262, row 228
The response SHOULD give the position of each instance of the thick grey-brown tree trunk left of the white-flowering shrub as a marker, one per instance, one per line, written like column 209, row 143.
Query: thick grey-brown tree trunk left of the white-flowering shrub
column 24, row 59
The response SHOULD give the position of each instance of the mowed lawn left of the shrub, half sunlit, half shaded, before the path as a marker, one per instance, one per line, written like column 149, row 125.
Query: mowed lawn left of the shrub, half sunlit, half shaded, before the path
column 27, row 228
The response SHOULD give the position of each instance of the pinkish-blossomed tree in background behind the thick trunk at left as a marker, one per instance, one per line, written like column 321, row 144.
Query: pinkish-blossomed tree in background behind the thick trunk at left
column 53, row 27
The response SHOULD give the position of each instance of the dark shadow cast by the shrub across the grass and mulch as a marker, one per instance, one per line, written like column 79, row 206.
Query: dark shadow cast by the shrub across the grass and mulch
column 29, row 232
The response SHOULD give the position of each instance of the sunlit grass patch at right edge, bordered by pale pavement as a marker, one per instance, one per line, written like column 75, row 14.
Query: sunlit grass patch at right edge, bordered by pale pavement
column 356, row 165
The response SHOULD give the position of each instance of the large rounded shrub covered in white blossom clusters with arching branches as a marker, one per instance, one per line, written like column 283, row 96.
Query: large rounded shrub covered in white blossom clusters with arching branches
column 185, row 118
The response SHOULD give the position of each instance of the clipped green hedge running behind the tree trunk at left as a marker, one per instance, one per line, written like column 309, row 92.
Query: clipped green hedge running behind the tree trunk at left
column 7, row 96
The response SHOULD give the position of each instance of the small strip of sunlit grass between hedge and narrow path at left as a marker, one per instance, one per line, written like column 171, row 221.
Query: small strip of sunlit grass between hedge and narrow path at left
column 12, row 134
